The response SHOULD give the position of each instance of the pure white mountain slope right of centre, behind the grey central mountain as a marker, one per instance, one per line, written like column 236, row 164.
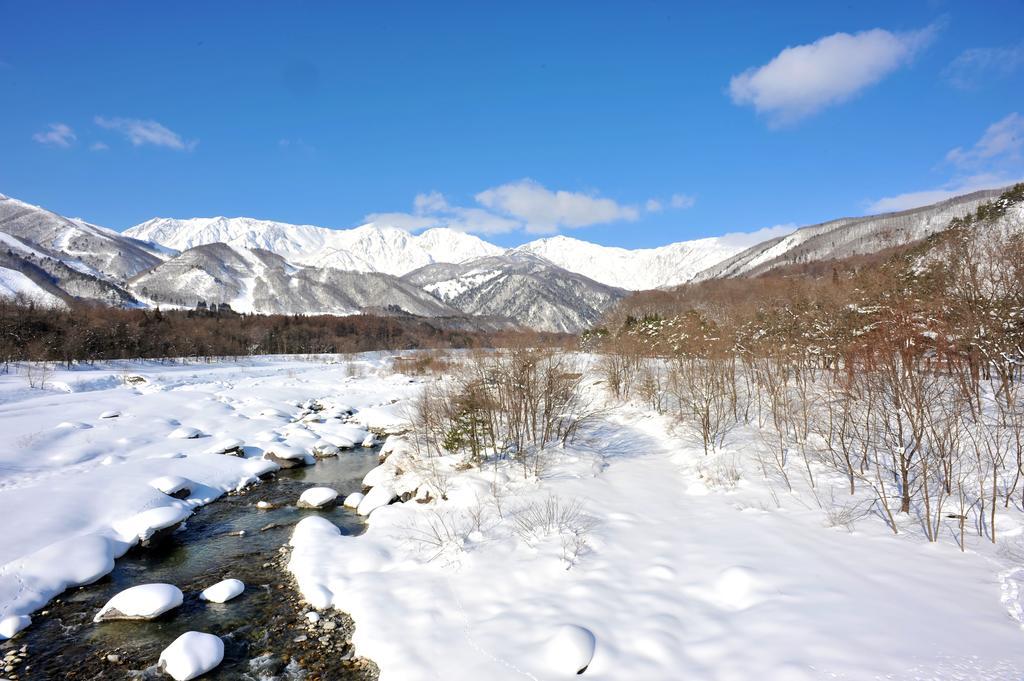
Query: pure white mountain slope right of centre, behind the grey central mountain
column 637, row 270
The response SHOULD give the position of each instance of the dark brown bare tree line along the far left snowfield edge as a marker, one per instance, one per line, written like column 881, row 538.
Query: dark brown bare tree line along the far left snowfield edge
column 89, row 333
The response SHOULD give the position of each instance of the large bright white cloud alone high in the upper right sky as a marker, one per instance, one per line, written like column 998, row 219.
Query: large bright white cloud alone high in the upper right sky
column 802, row 80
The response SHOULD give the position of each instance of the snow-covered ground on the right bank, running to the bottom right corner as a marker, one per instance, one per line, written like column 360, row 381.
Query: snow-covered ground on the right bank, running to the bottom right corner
column 678, row 580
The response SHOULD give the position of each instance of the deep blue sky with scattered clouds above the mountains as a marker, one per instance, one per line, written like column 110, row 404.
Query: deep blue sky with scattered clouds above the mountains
column 630, row 124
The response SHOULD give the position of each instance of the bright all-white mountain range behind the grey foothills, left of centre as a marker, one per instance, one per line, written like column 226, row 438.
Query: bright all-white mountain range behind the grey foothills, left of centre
column 371, row 248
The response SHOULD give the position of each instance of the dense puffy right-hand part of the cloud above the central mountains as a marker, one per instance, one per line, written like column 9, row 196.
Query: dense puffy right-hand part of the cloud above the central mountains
column 544, row 211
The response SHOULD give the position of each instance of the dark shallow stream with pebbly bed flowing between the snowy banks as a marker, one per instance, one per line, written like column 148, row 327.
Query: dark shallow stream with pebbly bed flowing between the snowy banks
column 265, row 631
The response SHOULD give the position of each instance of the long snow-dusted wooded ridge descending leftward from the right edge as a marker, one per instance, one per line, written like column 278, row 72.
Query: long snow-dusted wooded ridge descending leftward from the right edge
column 846, row 237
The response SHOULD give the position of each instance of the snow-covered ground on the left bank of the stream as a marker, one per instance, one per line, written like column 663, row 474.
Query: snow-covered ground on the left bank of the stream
column 76, row 490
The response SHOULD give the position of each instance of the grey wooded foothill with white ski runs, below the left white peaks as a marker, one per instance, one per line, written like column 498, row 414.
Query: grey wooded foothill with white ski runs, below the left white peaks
column 262, row 282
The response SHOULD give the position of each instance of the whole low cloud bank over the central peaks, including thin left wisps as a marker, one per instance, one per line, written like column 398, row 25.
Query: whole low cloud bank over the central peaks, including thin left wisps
column 524, row 205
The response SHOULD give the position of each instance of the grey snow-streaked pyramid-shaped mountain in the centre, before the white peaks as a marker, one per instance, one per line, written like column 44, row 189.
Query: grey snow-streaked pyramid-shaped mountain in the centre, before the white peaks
column 520, row 286
